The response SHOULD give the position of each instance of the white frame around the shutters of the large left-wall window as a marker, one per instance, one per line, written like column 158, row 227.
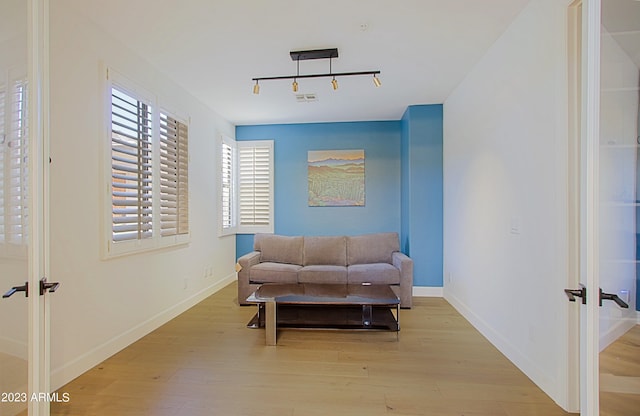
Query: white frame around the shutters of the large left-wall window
column 113, row 248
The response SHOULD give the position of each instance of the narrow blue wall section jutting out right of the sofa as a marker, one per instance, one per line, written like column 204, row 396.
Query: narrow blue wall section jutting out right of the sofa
column 422, row 192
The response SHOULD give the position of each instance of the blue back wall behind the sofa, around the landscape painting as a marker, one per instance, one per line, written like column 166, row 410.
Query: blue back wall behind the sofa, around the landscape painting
column 381, row 143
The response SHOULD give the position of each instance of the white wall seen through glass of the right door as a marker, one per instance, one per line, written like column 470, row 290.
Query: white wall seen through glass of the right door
column 618, row 154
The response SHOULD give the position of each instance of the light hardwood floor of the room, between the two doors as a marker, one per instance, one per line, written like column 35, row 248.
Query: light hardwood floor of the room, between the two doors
column 206, row 362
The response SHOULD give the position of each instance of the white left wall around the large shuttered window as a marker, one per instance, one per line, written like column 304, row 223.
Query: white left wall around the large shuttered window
column 103, row 305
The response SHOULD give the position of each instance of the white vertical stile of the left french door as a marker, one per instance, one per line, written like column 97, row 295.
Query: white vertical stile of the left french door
column 38, row 267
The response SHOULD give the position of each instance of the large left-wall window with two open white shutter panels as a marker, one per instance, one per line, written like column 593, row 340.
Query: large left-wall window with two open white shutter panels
column 148, row 175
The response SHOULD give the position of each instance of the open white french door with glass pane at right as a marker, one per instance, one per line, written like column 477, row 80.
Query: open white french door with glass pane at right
column 610, row 208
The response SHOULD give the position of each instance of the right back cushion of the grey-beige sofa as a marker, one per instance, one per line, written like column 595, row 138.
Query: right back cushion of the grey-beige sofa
column 372, row 248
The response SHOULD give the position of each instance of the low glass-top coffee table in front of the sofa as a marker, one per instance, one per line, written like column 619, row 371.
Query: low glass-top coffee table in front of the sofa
column 324, row 306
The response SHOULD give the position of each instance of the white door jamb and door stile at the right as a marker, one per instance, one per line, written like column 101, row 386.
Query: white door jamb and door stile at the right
column 584, row 22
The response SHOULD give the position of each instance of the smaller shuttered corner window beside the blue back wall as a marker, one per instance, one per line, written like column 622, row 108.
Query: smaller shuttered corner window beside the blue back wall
column 246, row 186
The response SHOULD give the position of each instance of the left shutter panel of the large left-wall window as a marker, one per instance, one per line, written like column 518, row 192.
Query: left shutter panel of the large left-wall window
column 131, row 167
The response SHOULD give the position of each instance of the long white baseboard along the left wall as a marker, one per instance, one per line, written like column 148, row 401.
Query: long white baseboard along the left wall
column 63, row 375
